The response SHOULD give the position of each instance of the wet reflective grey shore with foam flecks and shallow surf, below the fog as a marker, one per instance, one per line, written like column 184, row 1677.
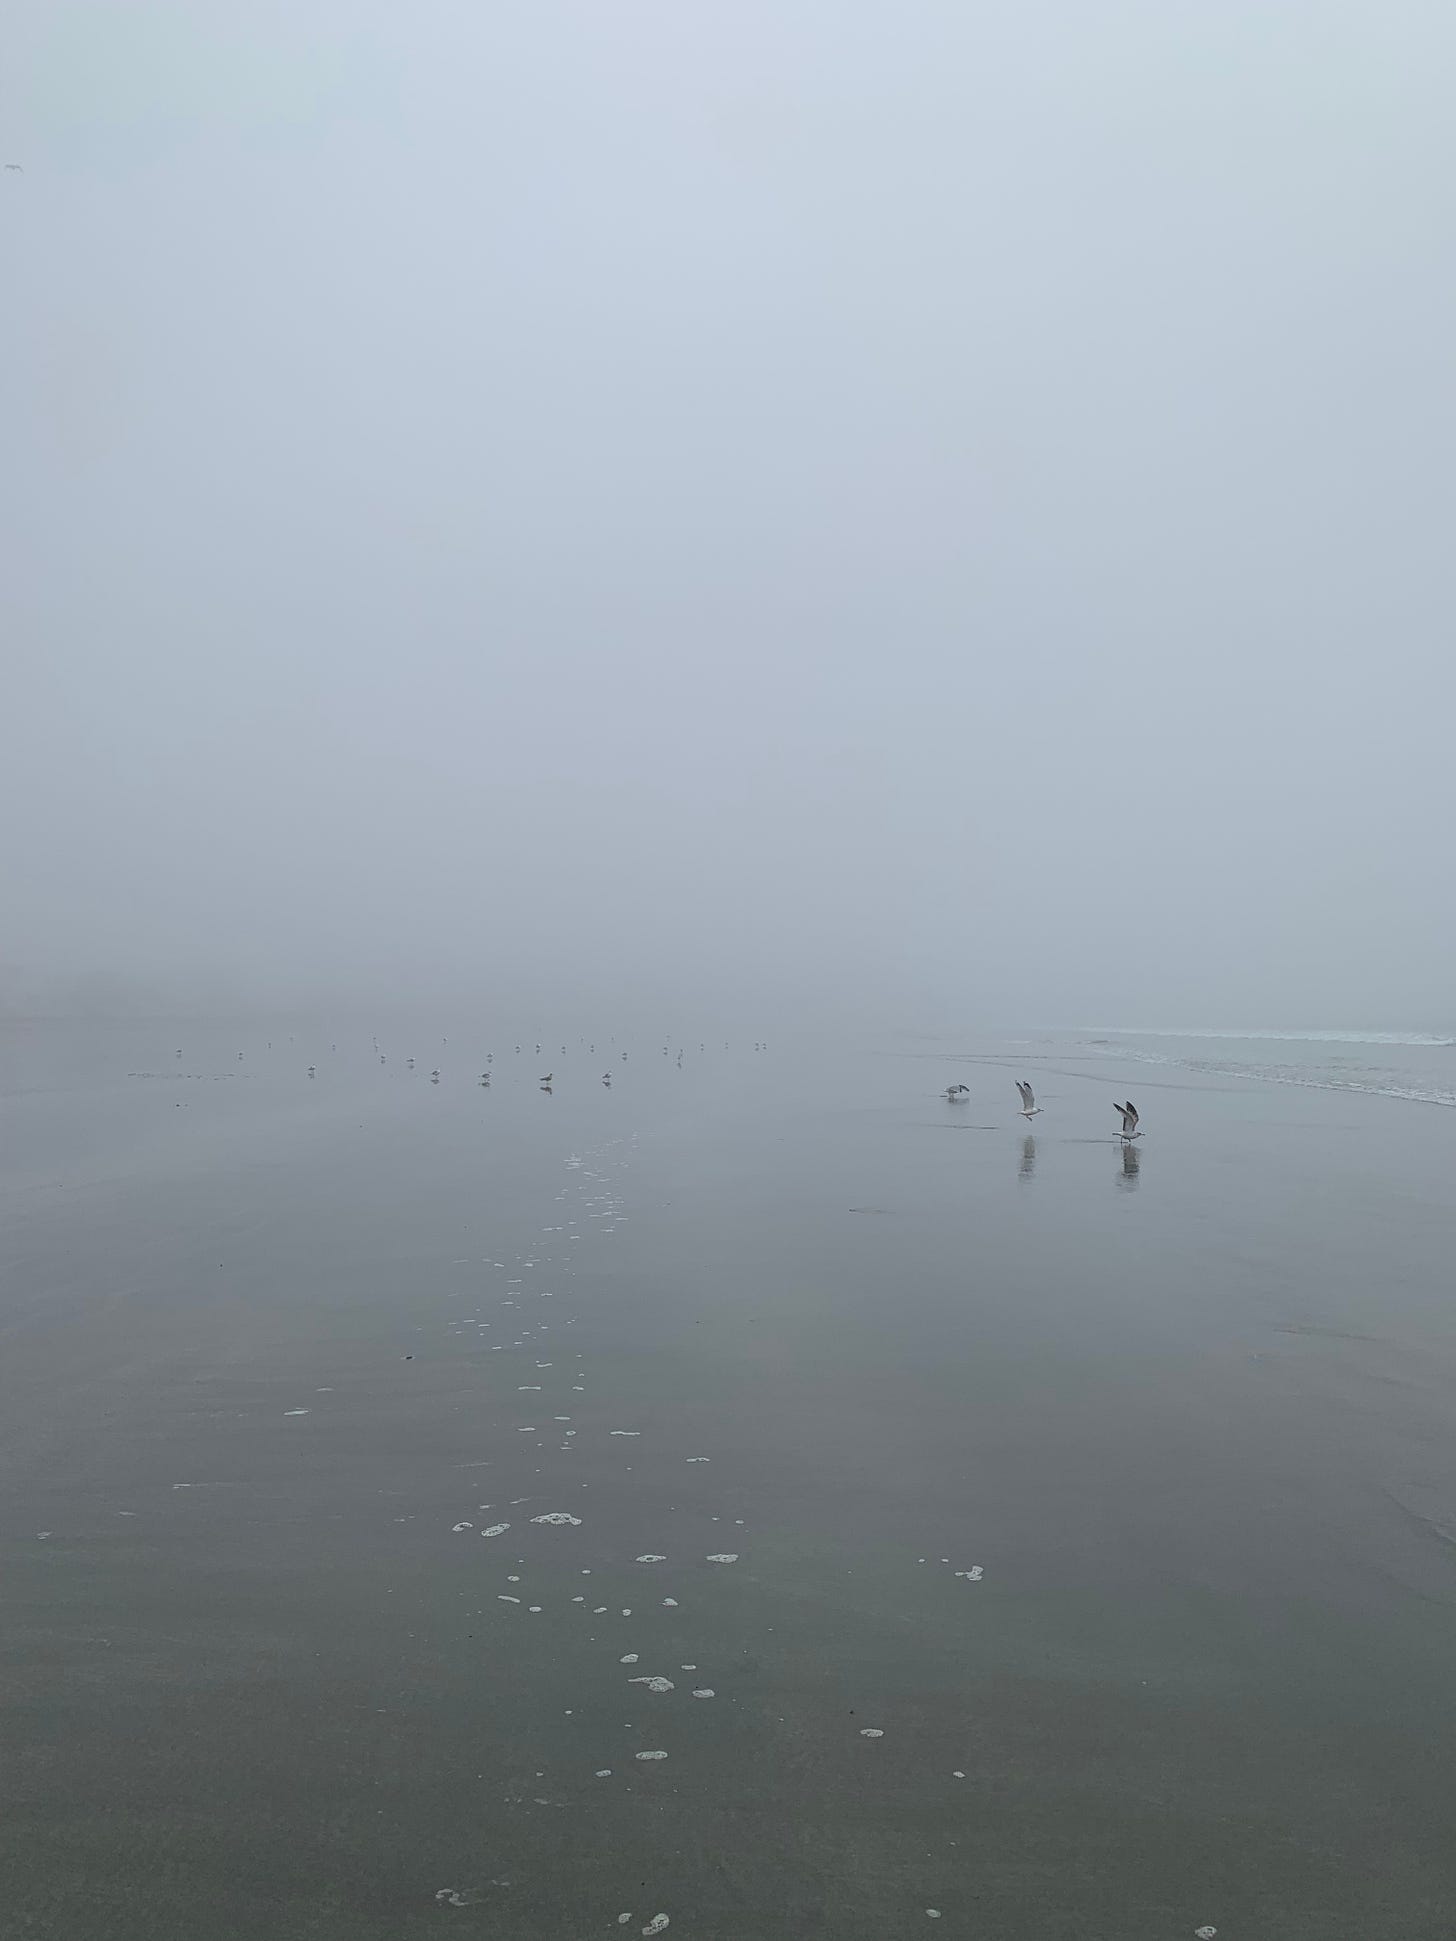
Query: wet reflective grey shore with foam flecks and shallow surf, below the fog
column 752, row 1499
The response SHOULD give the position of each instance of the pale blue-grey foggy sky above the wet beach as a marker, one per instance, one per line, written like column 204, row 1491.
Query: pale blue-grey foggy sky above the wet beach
column 939, row 504
